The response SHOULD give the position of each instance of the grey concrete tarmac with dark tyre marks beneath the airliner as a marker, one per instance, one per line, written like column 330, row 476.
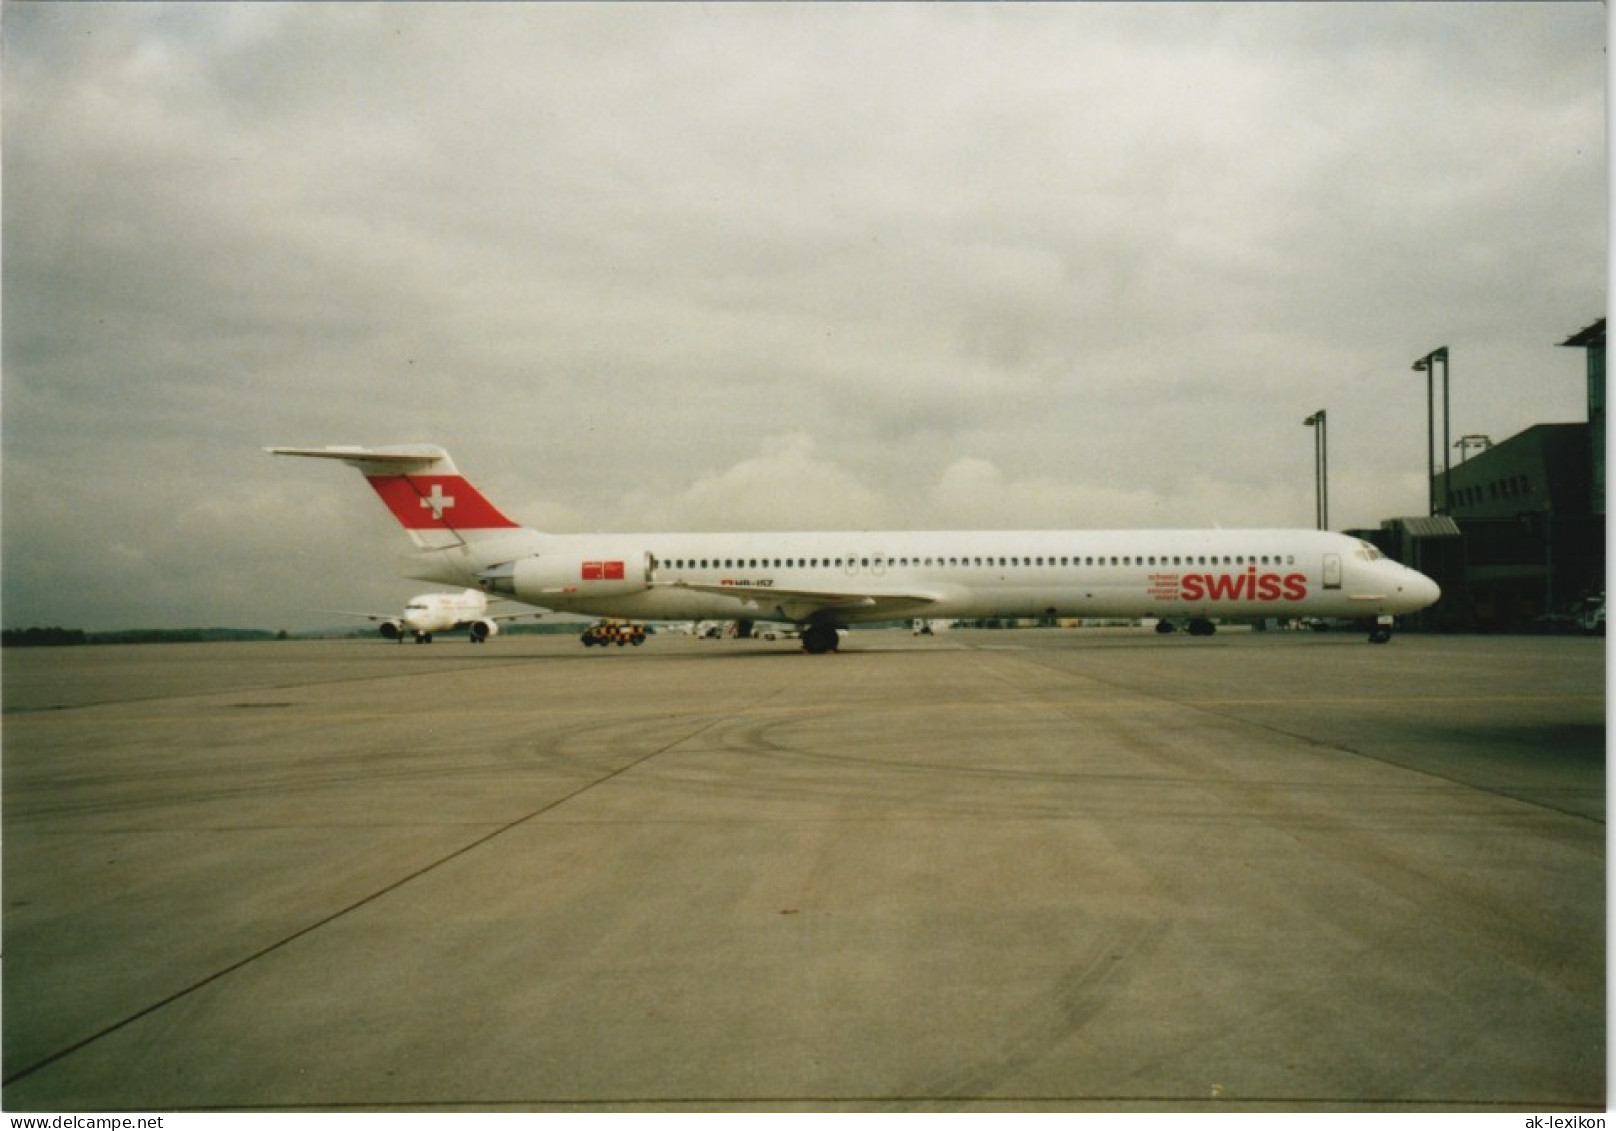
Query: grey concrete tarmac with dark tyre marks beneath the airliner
column 1040, row 870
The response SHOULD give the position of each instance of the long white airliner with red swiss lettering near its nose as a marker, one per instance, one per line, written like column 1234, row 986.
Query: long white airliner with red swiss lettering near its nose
column 828, row 581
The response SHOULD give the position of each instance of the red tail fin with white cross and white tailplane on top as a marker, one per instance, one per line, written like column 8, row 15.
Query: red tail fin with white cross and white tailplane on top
column 423, row 489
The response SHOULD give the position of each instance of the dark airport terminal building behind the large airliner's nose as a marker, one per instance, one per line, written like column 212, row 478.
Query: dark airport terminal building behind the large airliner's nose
column 1517, row 539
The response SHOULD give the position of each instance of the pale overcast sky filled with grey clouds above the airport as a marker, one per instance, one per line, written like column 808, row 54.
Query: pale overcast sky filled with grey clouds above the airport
column 728, row 267
